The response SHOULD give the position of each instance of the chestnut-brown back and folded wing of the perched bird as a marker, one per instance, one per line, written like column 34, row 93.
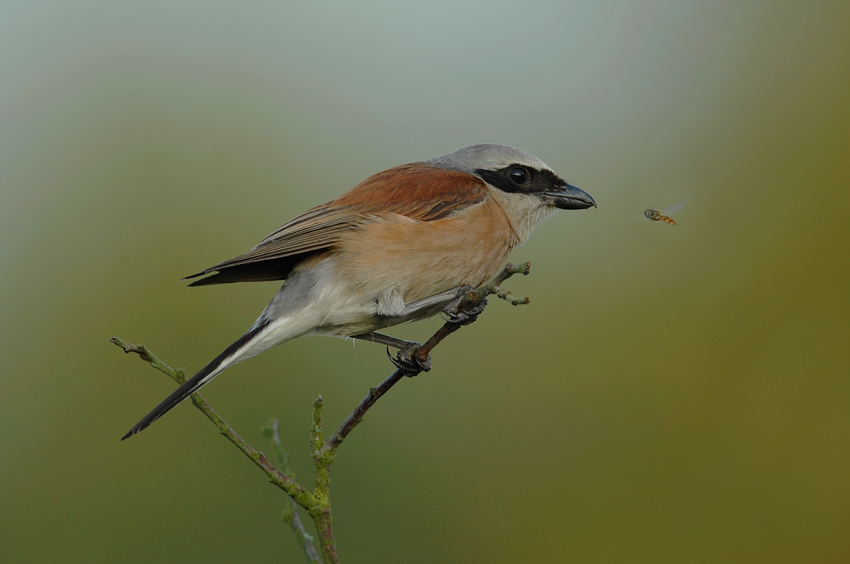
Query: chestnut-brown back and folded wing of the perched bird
column 417, row 191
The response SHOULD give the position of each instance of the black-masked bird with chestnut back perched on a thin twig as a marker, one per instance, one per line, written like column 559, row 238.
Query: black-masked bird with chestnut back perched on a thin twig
column 395, row 248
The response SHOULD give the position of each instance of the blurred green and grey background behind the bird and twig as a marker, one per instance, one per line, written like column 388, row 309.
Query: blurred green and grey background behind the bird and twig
column 670, row 395
